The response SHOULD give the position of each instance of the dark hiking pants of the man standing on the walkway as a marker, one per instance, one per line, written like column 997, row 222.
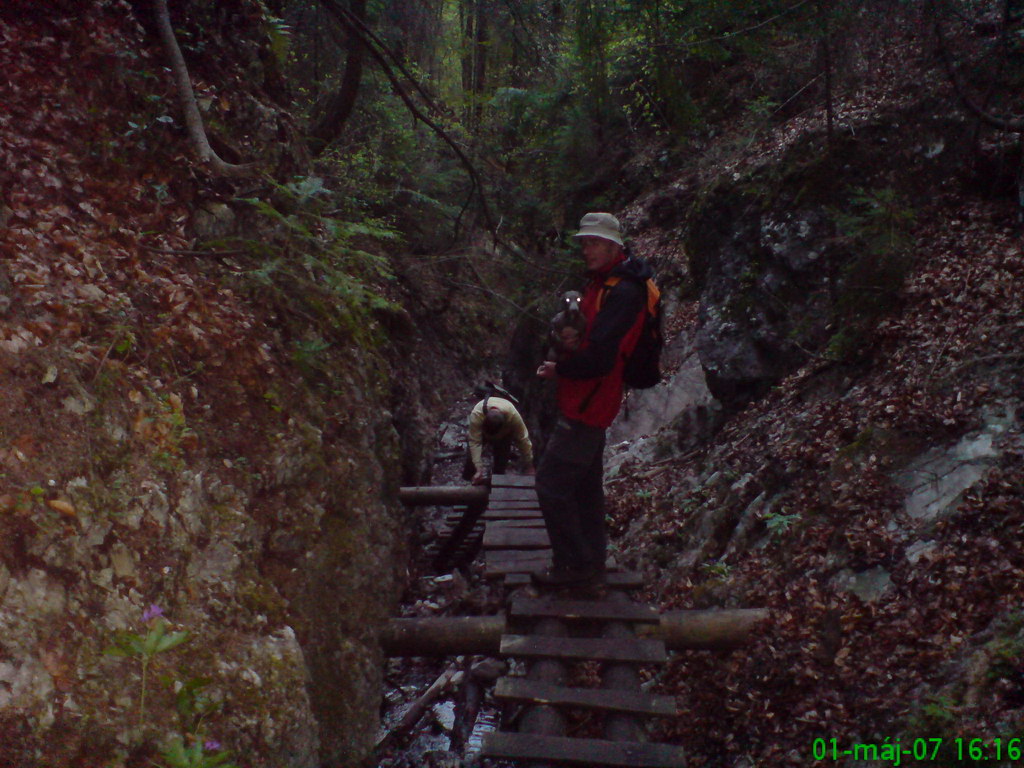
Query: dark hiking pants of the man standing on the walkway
column 572, row 495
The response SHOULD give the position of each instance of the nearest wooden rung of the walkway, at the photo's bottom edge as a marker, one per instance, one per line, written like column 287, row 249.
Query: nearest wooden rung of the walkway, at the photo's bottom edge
column 582, row 751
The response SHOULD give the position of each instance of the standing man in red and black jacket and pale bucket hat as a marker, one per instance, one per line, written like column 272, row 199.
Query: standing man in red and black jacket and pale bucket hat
column 570, row 479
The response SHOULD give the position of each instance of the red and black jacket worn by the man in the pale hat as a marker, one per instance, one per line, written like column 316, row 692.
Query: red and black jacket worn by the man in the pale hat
column 590, row 383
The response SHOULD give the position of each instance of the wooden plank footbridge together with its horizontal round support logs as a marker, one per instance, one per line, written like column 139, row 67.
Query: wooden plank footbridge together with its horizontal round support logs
column 549, row 631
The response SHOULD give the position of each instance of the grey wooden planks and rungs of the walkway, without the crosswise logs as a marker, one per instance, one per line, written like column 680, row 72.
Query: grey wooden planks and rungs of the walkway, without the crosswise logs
column 516, row 544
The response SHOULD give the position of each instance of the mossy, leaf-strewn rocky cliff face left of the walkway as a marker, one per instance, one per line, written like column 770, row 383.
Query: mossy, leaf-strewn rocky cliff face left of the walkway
column 199, row 532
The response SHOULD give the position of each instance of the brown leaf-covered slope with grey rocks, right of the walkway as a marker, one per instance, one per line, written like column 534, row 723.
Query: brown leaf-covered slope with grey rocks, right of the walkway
column 872, row 499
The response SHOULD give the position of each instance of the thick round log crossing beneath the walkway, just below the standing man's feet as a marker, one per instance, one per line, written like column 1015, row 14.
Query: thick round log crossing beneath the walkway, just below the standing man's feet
column 679, row 630
